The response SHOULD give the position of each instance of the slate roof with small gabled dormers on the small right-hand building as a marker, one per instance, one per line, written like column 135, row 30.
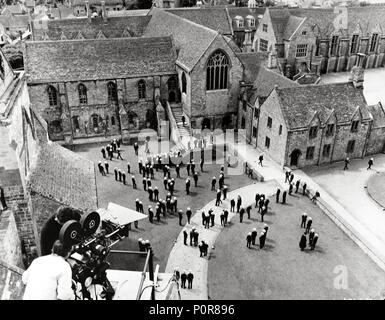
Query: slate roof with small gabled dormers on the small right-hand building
column 300, row 104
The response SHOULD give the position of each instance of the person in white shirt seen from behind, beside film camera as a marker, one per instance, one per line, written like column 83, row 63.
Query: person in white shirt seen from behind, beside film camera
column 49, row 277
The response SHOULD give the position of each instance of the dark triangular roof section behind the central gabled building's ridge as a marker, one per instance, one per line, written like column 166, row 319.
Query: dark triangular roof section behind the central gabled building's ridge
column 210, row 17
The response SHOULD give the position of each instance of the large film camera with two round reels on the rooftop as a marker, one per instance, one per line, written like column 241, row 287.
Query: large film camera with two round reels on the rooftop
column 90, row 240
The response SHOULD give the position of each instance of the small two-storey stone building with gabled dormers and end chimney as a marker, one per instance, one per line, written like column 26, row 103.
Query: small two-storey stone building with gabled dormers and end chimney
column 315, row 124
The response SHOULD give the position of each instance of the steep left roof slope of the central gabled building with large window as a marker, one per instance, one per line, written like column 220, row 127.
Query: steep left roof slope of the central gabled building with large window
column 191, row 39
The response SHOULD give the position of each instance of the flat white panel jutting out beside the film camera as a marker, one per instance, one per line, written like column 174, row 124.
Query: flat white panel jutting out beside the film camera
column 120, row 215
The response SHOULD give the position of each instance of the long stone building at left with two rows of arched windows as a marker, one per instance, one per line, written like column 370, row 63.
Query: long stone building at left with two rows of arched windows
column 86, row 88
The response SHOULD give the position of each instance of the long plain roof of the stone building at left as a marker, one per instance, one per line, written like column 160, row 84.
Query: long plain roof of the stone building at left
column 81, row 60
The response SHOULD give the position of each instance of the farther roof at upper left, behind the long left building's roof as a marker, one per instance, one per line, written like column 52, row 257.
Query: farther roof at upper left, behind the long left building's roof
column 115, row 27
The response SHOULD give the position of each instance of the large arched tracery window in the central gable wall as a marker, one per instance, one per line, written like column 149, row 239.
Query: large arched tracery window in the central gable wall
column 217, row 71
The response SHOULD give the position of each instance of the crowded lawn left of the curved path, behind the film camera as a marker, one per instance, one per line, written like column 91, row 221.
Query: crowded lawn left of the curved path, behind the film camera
column 161, row 235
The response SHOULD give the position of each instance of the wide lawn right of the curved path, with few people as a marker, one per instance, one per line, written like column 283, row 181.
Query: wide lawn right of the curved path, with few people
column 280, row 270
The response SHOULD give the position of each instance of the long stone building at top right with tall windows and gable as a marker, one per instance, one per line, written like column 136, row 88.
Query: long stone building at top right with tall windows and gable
column 322, row 40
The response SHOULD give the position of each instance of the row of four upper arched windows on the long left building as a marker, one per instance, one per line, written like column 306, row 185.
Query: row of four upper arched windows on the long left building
column 82, row 93
